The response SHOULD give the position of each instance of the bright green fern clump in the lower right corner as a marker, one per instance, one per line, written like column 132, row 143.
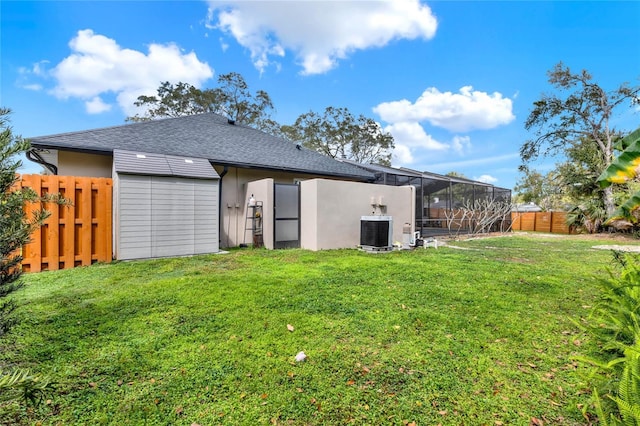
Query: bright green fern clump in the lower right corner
column 615, row 325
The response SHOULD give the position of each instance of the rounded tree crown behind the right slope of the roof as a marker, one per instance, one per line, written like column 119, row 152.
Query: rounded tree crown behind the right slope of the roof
column 339, row 134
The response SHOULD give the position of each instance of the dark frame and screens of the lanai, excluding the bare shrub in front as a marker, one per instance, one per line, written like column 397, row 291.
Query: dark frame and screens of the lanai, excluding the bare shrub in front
column 439, row 195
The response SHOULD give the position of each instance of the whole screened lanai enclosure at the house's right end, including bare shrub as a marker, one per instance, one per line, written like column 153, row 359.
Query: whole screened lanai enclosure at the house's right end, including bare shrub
column 448, row 205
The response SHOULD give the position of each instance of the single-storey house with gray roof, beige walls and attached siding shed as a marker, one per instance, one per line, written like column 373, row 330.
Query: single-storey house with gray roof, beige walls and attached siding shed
column 193, row 184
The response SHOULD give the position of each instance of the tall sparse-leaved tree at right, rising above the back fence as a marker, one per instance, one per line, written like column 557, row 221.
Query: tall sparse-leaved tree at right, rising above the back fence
column 580, row 114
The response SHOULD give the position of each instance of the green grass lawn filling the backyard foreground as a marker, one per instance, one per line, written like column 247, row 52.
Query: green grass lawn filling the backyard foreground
column 454, row 337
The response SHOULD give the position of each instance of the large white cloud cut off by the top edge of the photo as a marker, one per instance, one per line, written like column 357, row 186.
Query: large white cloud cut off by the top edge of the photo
column 319, row 33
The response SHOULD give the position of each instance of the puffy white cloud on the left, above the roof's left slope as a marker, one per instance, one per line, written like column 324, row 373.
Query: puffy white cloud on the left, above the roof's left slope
column 98, row 65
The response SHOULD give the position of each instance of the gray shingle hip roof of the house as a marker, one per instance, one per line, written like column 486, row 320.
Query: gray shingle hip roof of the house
column 207, row 136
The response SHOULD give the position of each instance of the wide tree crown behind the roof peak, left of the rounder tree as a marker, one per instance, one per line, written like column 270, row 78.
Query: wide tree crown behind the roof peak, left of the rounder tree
column 232, row 98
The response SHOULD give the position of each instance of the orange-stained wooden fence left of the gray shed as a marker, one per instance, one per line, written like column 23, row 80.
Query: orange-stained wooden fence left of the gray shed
column 74, row 235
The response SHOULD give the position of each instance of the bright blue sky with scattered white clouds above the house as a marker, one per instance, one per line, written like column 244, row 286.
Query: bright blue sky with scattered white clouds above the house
column 453, row 81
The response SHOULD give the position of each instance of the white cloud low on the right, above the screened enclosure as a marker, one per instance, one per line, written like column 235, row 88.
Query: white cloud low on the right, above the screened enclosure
column 457, row 112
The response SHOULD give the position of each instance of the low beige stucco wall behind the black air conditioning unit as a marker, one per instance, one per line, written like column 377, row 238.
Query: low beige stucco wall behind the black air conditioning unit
column 331, row 211
